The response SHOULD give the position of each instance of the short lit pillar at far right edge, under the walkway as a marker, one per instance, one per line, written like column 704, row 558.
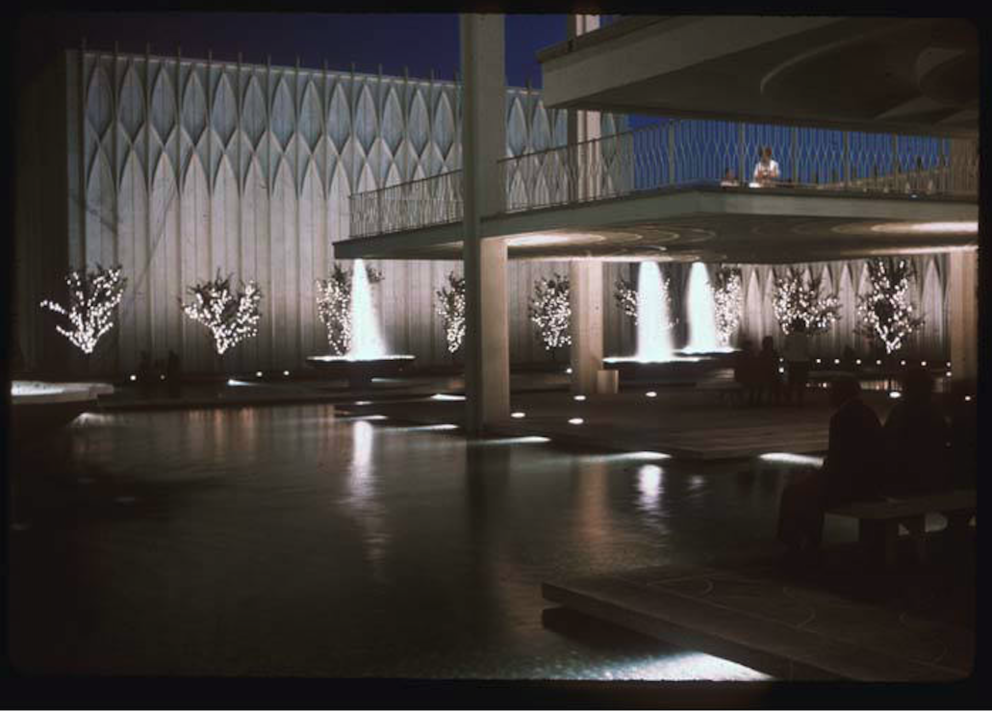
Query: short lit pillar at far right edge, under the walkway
column 962, row 305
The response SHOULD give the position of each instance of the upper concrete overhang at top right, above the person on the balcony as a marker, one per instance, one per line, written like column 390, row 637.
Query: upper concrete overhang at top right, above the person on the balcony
column 873, row 74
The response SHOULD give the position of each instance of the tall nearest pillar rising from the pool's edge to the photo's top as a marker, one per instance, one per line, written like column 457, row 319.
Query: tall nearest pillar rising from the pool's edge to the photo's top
column 487, row 348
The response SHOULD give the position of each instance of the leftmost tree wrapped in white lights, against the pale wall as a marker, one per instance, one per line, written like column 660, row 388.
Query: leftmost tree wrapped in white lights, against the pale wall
column 93, row 297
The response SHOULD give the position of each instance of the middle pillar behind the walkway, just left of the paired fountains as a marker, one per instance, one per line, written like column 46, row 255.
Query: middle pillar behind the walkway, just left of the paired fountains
column 585, row 277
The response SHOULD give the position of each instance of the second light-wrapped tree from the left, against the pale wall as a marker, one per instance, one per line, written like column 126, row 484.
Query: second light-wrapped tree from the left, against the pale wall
column 231, row 316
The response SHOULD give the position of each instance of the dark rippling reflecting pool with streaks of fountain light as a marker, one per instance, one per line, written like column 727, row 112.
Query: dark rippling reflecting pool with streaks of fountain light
column 291, row 540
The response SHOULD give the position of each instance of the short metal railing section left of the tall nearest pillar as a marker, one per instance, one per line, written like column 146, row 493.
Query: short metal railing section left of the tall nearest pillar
column 420, row 203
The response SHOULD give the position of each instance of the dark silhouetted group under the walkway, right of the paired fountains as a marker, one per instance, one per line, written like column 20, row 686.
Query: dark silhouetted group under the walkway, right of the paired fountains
column 758, row 373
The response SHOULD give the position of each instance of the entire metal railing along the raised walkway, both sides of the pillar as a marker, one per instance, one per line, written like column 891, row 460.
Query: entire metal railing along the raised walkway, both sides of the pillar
column 685, row 153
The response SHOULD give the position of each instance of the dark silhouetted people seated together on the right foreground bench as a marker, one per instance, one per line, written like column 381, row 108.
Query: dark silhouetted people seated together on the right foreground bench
column 910, row 455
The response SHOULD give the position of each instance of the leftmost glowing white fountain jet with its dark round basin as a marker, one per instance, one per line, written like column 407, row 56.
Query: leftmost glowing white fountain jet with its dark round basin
column 367, row 356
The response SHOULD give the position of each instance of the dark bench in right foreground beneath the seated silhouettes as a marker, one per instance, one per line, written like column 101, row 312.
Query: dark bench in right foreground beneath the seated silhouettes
column 879, row 521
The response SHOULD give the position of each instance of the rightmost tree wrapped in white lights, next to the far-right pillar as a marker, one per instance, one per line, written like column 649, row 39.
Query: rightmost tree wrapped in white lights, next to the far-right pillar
column 885, row 314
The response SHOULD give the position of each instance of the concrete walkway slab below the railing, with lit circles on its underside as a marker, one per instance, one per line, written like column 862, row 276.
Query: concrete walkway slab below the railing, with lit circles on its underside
column 708, row 224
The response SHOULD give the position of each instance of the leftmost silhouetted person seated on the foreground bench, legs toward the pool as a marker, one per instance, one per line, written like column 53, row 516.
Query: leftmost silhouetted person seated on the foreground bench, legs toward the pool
column 851, row 471
